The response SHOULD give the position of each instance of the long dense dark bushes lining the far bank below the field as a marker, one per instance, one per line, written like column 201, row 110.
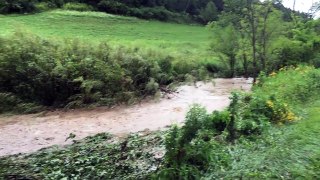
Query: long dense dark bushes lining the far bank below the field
column 73, row 74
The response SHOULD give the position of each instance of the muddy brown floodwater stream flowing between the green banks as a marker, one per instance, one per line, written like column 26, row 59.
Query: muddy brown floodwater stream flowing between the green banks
column 29, row 133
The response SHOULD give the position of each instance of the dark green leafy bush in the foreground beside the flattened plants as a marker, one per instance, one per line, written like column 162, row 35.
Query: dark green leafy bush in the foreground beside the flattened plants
column 192, row 149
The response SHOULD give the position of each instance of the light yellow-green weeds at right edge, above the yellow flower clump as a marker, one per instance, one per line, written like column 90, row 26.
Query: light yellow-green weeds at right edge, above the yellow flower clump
column 294, row 85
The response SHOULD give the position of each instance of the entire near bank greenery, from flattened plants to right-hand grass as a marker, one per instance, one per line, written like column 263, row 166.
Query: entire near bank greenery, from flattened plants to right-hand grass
column 250, row 142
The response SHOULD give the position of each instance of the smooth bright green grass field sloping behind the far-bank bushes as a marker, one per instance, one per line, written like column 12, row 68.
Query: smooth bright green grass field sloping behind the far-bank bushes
column 190, row 41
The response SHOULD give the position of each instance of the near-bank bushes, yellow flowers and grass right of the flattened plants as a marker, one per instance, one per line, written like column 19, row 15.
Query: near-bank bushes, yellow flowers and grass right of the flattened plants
column 244, row 141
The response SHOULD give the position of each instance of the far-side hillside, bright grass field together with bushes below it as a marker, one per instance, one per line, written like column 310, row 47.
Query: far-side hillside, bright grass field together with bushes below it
column 89, row 38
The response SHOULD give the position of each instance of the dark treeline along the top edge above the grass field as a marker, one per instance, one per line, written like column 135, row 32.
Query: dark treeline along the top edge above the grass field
column 200, row 11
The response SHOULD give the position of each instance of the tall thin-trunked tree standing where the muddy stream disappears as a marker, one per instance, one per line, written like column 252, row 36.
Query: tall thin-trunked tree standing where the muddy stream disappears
column 257, row 24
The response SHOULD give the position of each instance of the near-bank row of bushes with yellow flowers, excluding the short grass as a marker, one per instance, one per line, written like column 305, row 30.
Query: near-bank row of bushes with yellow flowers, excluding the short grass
column 197, row 147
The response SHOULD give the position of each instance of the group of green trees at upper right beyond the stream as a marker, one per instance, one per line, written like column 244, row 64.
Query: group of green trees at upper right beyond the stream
column 254, row 37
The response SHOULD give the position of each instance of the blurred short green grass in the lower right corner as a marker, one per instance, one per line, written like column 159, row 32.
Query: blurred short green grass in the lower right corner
column 287, row 152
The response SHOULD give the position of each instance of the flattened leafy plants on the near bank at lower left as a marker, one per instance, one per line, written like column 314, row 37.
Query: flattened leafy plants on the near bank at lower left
column 101, row 156
